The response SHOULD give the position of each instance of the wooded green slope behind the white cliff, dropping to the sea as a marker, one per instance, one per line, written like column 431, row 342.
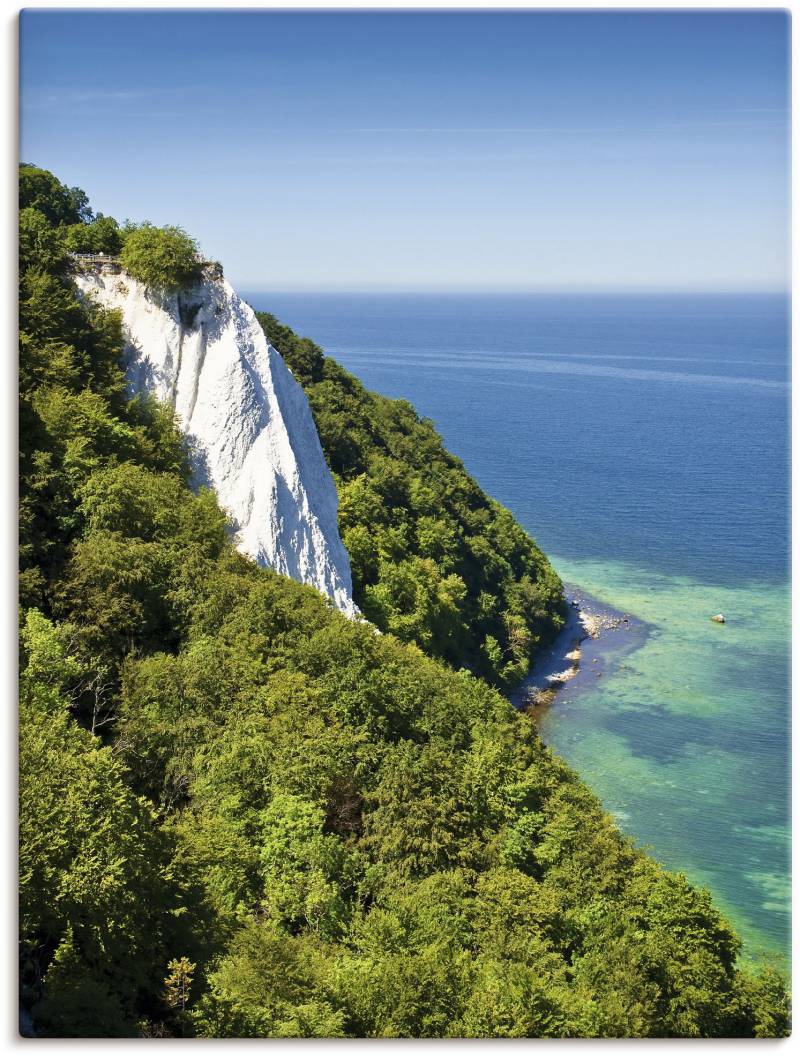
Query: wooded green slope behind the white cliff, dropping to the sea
column 434, row 560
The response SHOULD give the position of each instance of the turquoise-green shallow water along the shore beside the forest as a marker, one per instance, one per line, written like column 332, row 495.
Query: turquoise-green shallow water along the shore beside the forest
column 681, row 742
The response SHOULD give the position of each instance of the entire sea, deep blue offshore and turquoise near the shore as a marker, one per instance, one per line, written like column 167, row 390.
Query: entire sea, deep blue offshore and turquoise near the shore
column 644, row 442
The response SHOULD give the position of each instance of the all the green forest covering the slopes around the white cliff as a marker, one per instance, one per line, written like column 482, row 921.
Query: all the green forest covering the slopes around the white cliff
column 243, row 815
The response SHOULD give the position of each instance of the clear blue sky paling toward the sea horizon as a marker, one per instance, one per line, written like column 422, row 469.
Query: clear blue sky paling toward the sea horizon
column 486, row 152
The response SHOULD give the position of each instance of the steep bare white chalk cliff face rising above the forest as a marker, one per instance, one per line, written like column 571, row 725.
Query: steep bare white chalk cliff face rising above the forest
column 252, row 433
